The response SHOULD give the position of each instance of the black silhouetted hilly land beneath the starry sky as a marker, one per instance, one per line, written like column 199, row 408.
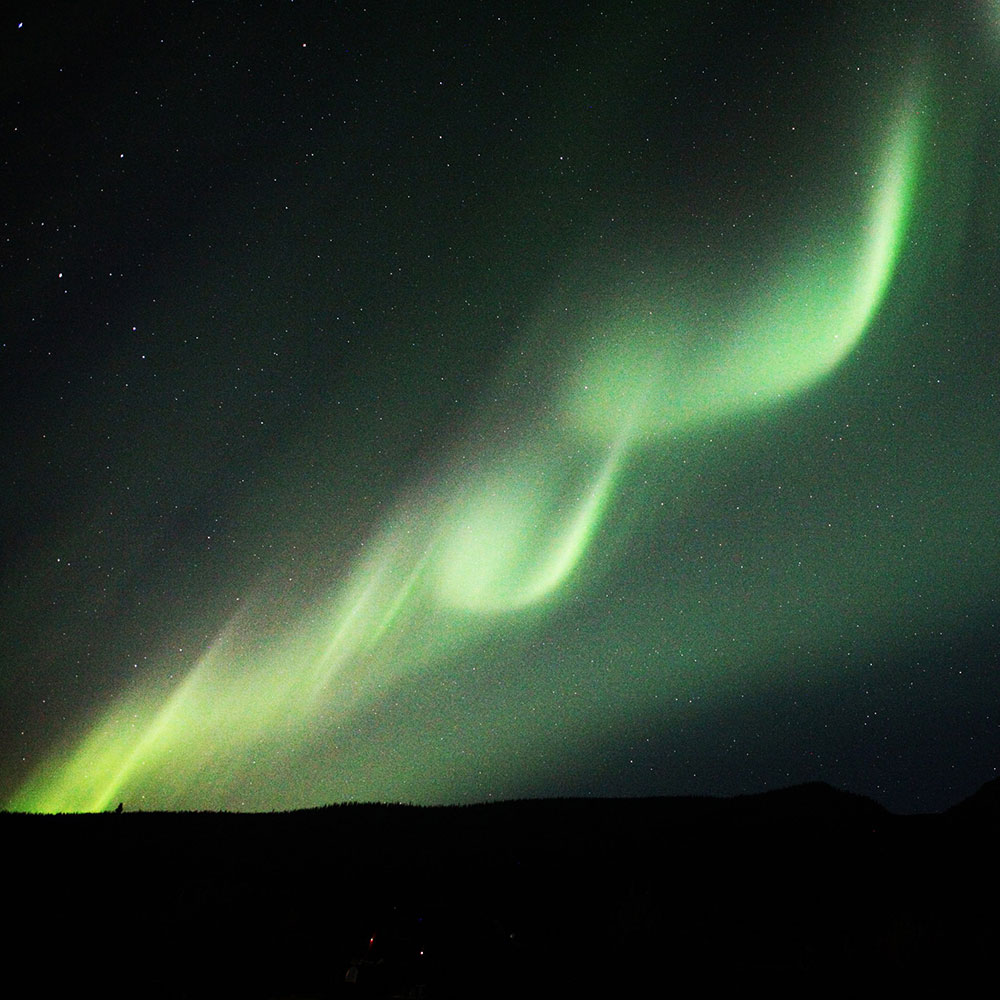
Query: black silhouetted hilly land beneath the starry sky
column 551, row 898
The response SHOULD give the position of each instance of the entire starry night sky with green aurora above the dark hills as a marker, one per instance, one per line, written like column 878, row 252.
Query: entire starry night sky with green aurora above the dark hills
column 450, row 402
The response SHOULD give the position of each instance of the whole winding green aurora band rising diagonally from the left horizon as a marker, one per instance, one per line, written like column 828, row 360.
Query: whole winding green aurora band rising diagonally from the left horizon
column 499, row 537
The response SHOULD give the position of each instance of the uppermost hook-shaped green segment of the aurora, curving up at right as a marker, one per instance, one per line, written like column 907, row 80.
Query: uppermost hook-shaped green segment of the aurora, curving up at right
column 657, row 374
